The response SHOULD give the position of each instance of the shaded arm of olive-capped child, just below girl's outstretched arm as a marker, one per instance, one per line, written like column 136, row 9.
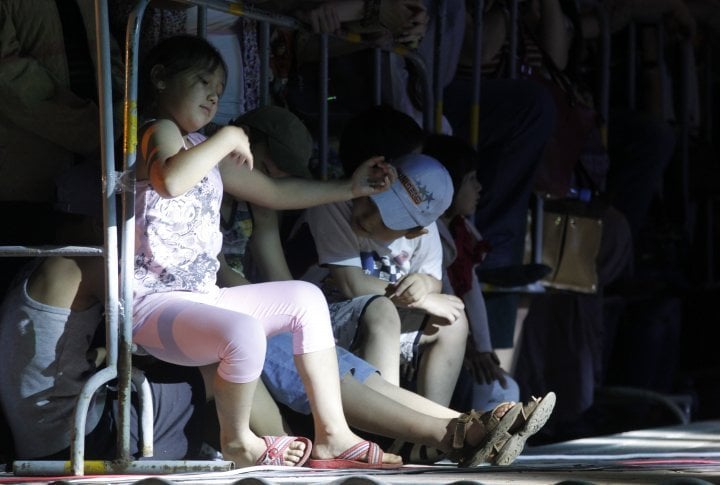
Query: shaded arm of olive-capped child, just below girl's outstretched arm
column 266, row 247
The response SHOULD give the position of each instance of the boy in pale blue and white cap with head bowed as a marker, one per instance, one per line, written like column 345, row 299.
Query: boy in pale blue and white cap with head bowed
column 388, row 244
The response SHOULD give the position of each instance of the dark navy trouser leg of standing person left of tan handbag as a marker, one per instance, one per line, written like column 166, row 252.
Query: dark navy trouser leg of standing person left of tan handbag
column 517, row 118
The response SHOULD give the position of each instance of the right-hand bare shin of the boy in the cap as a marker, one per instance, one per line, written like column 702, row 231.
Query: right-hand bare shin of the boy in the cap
column 442, row 358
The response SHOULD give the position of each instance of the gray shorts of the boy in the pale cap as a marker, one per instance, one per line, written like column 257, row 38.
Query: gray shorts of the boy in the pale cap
column 345, row 316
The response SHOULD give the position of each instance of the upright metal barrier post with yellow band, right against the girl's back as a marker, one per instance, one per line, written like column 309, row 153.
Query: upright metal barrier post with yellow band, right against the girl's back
column 128, row 234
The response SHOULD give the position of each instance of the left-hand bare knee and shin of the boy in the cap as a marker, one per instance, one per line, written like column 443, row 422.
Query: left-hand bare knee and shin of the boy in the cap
column 379, row 338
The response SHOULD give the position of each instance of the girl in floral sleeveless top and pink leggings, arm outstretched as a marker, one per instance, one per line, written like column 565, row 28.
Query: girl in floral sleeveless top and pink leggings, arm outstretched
column 180, row 315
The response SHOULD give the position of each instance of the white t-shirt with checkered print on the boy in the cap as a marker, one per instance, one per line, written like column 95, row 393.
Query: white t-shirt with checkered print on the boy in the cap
column 337, row 244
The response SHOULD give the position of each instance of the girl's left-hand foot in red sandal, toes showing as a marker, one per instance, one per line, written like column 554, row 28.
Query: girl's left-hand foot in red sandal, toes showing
column 256, row 452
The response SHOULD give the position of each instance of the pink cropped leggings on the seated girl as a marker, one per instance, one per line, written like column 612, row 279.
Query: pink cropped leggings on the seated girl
column 231, row 325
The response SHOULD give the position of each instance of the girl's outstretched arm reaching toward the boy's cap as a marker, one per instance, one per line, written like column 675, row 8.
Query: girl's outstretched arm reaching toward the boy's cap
column 371, row 177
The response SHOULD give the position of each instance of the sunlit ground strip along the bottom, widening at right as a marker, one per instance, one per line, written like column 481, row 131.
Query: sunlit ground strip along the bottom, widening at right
column 683, row 454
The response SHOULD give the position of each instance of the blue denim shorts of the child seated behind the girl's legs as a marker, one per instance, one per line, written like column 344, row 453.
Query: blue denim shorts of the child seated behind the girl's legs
column 283, row 381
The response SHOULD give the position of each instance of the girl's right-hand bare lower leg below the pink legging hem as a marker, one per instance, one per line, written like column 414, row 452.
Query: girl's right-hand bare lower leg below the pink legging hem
column 319, row 373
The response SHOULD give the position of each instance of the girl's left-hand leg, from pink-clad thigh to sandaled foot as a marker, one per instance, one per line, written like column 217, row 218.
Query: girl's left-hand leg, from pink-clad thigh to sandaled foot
column 195, row 333
